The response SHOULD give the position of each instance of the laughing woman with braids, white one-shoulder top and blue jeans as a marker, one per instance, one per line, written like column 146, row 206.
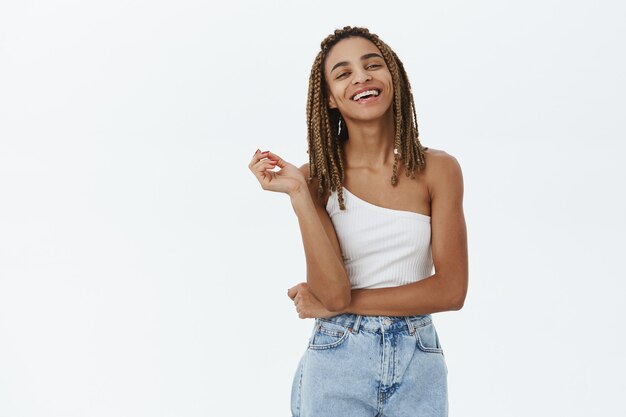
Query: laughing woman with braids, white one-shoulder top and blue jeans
column 371, row 241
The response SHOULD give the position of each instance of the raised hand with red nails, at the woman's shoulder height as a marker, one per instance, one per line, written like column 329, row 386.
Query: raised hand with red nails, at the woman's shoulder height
column 287, row 180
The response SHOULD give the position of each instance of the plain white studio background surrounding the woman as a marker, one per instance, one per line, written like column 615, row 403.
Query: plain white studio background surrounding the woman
column 143, row 271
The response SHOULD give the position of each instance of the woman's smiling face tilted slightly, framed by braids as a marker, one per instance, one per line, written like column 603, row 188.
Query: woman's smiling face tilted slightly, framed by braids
column 353, row 66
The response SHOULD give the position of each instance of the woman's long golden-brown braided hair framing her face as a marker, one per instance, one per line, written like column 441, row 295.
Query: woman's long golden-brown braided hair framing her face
column 326, row 152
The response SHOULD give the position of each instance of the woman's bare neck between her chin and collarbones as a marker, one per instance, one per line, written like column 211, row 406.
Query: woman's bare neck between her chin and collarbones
column 371, row 142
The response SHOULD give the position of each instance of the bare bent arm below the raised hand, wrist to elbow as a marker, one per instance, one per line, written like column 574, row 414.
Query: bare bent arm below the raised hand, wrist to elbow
column 326, row 275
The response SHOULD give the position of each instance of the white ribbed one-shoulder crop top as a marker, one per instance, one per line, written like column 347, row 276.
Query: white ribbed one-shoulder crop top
column 381, row 247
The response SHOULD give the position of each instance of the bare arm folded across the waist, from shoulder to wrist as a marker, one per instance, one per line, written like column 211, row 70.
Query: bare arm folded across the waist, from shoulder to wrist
column 446, row 289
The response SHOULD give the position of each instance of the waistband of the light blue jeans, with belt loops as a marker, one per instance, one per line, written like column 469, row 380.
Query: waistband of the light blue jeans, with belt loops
column 378, row 324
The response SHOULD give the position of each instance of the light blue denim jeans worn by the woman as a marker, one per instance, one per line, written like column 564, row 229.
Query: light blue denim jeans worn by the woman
column 371, row 366
